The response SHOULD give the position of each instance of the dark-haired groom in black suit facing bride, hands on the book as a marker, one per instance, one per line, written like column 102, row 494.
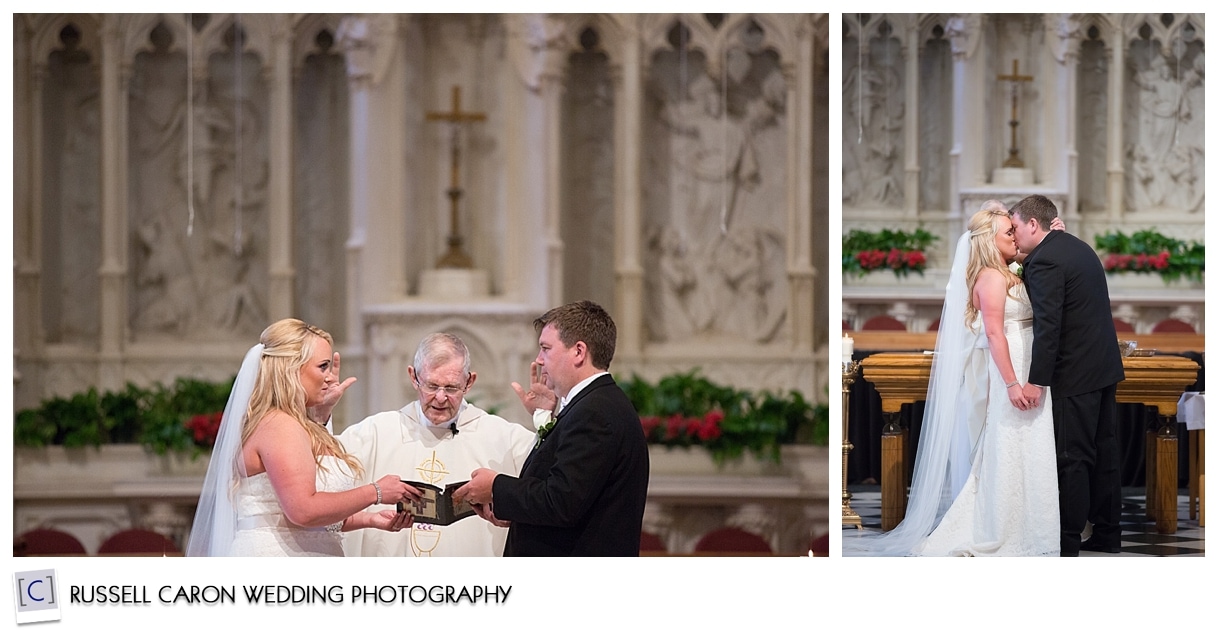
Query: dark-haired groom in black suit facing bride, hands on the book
column 583, row 490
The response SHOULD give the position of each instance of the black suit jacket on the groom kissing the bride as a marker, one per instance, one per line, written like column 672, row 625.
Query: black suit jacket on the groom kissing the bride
column 1075, row 344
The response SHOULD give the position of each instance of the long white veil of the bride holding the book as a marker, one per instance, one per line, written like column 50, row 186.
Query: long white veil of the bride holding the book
column 216, row 517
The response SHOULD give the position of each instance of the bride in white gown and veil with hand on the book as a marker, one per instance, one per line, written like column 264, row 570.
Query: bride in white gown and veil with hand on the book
column 280, row 484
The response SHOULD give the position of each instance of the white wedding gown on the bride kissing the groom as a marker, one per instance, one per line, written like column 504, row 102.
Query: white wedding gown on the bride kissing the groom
column 1009, row 504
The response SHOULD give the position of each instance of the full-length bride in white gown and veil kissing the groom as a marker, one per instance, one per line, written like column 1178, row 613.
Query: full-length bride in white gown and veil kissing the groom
column 985, row 478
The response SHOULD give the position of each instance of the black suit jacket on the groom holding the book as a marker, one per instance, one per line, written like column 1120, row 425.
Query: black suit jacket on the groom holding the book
column 583, row 490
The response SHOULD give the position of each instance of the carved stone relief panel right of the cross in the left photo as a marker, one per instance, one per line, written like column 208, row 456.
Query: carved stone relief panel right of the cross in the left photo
column 720, row 254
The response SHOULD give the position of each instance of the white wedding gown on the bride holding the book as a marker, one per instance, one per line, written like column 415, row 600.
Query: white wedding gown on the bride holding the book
column 262, row 529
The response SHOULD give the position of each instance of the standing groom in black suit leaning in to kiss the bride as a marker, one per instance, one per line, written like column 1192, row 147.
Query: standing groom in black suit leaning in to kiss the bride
column 1074, row 351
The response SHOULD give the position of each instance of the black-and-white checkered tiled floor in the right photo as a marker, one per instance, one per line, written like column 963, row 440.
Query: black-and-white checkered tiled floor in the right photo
column 1138, row 538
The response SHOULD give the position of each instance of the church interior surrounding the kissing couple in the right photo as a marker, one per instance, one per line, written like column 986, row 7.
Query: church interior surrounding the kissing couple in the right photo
column 1104, row 114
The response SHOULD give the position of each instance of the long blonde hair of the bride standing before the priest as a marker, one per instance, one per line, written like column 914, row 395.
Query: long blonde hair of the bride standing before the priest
column 287, row 349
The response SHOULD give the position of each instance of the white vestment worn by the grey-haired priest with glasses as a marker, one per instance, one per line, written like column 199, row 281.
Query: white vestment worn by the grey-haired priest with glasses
column 405, row 444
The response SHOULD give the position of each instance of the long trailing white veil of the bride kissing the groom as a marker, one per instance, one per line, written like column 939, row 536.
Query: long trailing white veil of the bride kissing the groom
column 943, row 454
